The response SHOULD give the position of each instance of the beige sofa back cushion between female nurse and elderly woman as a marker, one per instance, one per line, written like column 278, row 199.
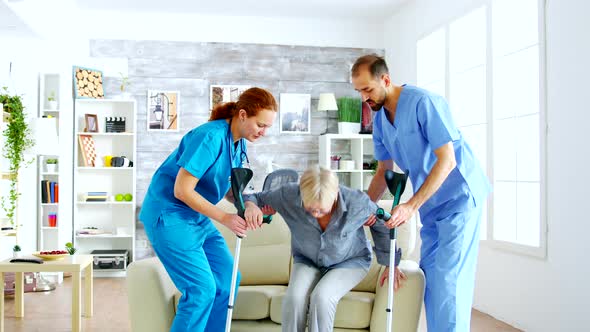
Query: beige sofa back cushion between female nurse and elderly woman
column 265, row 254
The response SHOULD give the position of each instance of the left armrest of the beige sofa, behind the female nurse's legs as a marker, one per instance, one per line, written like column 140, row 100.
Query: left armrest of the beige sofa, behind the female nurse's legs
column 151, row 296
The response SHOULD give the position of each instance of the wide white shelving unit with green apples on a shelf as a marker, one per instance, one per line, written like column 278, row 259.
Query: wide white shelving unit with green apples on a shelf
column 114, row 220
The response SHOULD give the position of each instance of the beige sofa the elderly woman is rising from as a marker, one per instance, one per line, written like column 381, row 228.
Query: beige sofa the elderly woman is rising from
column 265, row 262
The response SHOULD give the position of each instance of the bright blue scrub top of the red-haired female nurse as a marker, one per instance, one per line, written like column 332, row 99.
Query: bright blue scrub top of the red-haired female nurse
column 205, row 153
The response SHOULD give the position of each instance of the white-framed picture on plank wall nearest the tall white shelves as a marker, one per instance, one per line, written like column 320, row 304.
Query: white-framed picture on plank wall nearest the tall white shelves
column 163, row 110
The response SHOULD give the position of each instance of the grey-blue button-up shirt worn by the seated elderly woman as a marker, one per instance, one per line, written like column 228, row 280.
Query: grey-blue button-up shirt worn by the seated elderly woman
column 343, row 243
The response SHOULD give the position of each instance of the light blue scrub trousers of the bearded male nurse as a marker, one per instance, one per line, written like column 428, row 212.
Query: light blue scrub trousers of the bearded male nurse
column 448, row 258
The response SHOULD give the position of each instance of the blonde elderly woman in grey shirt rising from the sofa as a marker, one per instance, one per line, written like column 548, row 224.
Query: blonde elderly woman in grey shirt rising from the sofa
column 331, row 251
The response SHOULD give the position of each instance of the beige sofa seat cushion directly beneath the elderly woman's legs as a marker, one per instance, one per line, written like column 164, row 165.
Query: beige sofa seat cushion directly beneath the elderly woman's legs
column 353, row 311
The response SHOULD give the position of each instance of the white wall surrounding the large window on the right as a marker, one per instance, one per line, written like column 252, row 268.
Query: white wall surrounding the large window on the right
column 532, row 294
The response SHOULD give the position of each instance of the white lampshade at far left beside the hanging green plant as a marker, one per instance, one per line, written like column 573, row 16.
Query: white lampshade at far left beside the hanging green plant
column 44, row 132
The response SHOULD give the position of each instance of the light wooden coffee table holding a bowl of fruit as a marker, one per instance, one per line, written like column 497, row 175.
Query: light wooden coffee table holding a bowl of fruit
column 74, row 264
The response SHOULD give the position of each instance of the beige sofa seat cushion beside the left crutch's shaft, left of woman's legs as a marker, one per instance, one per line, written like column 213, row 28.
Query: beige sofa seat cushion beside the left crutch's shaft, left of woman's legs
column 253, row 302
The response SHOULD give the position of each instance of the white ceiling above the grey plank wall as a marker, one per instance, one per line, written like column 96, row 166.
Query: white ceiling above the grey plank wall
column 26, row 18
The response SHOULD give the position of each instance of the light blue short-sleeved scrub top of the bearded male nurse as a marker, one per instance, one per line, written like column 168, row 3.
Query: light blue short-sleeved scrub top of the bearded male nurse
column 423, row 123
